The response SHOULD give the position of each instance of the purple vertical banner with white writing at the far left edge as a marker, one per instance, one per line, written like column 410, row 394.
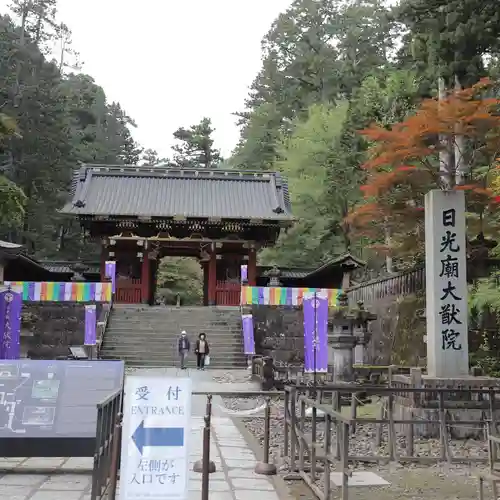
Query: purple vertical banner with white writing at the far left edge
column 11, row 304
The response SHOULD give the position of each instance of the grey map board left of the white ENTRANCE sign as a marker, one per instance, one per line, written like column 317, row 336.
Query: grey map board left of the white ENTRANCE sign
column 54, row 399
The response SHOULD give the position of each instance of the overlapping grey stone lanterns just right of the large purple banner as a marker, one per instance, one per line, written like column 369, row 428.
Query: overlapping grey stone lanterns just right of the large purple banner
column 349, row 329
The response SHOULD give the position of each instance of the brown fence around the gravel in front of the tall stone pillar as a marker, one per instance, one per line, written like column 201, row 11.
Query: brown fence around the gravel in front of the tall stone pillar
column 323, row 447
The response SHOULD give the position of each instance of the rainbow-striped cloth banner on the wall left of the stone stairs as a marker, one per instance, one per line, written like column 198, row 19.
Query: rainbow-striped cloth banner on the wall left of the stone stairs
column 36, row 291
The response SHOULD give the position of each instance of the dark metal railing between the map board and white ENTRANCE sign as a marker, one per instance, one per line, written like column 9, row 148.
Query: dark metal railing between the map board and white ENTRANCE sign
column 107, row 447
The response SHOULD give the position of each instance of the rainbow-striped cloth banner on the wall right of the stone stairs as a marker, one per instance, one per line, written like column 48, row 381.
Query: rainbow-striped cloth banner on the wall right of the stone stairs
column 281, row 296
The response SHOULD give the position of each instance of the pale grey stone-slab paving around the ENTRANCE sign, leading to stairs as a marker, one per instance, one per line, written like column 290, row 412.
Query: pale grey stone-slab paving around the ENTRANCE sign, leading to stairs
column 234, row 459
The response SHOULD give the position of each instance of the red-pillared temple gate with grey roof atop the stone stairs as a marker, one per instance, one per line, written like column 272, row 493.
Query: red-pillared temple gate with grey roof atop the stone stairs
column 142, row 214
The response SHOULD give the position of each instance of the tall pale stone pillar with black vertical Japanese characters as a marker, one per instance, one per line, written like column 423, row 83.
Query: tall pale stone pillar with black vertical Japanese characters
column 446, row 284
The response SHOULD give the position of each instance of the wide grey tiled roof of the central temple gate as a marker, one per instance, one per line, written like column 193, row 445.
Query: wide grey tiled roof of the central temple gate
column 167, row 192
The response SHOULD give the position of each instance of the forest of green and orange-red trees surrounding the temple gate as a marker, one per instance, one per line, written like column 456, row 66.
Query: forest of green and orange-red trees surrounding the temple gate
column 337, row 78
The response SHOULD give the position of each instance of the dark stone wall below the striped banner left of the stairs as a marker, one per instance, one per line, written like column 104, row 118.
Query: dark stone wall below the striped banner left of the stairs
column 47, row 329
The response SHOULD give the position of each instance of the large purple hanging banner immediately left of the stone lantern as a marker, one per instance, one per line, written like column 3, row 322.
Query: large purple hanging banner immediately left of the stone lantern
column 315, row 307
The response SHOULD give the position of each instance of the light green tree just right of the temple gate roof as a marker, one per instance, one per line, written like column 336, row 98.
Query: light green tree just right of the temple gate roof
column 309, row 161
